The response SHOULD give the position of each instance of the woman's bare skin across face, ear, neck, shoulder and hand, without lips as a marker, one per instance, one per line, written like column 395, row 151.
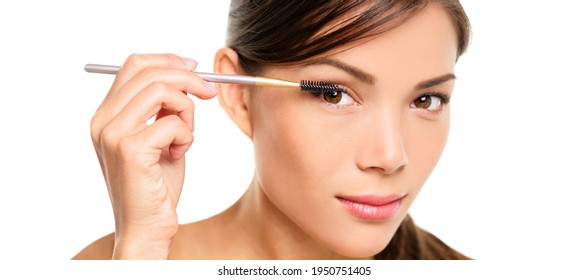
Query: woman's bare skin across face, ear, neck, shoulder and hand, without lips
column 383, row 138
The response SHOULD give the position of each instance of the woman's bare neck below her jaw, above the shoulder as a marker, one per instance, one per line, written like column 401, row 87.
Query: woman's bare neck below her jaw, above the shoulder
column 264, row 232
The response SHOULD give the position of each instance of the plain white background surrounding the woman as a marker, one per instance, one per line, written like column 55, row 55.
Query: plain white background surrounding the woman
column 510, row 185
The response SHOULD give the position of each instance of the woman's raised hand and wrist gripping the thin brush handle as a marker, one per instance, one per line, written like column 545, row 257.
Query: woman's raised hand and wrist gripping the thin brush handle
column 144, row 165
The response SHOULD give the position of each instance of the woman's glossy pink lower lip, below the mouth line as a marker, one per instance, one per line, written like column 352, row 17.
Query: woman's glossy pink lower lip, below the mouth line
column 369, row 211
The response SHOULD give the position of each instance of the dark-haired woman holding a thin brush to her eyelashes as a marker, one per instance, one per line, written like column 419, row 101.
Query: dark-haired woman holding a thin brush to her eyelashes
column 335, row 172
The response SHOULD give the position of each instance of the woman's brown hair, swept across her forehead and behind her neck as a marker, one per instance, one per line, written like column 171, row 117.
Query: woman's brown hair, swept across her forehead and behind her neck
column 277, row 32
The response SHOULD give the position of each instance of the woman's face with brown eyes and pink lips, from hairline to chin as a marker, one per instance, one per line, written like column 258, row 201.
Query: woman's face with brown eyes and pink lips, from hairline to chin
column 346, row 166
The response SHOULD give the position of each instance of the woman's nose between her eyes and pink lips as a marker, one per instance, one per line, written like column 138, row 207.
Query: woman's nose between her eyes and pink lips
column 383, row 146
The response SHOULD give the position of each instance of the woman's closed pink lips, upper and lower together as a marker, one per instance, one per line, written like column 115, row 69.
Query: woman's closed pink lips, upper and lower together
column 371, row 207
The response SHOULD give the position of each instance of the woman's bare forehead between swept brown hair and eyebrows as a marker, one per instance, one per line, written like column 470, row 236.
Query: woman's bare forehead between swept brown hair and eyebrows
column 426, row 43
